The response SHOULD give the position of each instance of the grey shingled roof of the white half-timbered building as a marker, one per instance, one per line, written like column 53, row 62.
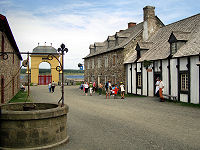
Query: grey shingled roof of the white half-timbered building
column 186, row 29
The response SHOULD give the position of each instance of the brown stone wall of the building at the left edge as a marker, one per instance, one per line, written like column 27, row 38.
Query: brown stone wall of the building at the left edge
column 9, row 71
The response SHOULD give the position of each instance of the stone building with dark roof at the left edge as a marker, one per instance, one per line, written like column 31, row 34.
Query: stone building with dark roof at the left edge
column 9, row 64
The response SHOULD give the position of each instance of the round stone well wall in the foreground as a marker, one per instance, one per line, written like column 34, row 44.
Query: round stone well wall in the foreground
column 43, row 127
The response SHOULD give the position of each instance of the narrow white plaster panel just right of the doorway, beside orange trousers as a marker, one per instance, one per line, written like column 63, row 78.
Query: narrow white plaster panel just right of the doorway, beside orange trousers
column 165, row 76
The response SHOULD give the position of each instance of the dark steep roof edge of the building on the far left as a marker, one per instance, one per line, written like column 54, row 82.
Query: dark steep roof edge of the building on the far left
column 8, row 32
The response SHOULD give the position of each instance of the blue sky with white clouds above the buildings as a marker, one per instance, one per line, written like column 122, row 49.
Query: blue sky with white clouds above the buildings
column 79, row 23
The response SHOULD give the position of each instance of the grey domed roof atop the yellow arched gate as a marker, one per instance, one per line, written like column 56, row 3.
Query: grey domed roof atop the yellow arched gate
column 44, row 49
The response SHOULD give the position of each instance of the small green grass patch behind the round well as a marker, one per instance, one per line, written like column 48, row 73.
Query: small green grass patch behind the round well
column 21, row 96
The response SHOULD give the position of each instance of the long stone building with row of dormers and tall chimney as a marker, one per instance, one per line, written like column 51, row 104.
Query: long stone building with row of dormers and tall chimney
column 106, row 59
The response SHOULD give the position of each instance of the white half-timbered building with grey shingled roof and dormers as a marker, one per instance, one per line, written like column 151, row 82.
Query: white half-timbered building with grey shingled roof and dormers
column 172, row 54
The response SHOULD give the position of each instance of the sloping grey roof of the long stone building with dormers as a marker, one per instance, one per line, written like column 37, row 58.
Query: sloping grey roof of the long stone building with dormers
column 127, row 36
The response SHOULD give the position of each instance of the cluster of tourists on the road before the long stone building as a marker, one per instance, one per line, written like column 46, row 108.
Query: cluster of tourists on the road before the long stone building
column 109, row 88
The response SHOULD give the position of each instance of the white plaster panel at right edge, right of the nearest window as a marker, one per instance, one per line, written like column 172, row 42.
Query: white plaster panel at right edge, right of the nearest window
column 194, row 72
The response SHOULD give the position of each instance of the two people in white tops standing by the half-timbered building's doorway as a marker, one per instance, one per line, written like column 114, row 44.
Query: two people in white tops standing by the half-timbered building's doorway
column 159, row 89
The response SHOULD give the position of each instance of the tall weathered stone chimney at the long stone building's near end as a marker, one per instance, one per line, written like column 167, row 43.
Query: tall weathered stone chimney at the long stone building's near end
column 150, row 24
